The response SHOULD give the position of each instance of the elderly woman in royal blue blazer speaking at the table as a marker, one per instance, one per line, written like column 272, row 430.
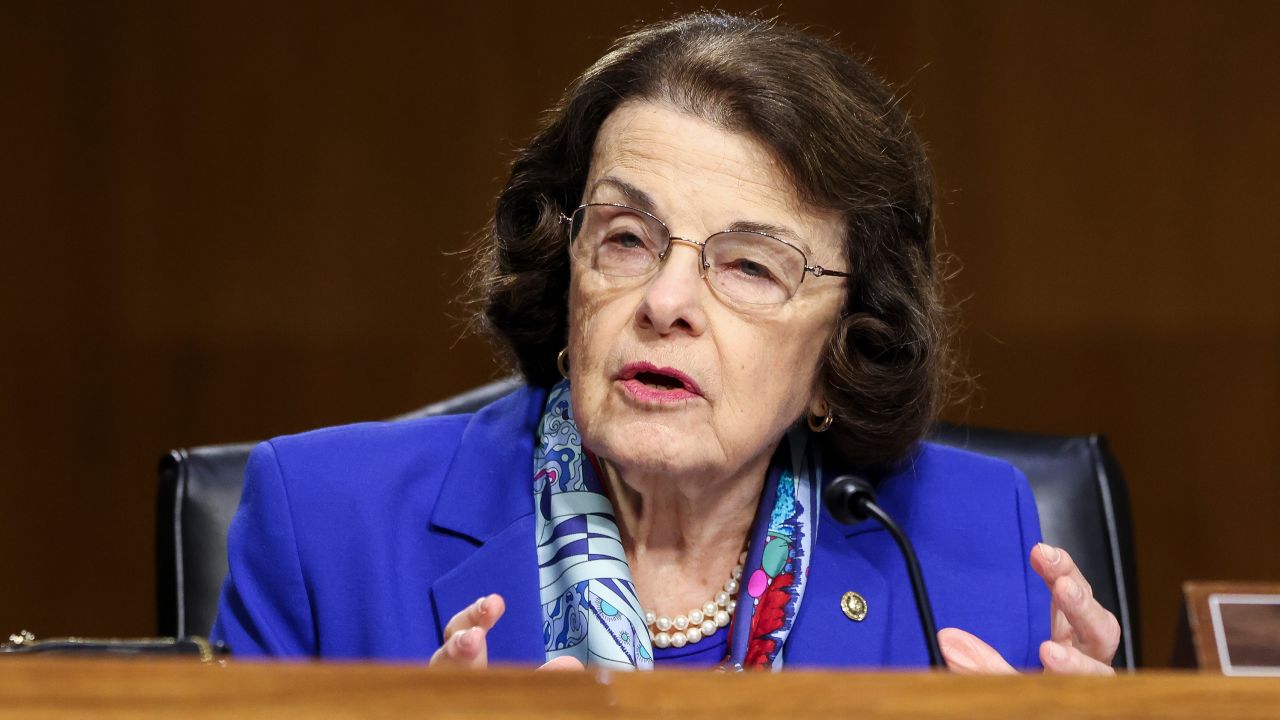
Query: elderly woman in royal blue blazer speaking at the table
column 715, row 267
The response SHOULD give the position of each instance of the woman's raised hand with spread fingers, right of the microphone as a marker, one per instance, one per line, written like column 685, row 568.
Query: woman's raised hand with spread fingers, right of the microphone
column 1084, row 639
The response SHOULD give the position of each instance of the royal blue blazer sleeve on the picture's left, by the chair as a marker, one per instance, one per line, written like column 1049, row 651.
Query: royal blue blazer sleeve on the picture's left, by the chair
column 264, row 609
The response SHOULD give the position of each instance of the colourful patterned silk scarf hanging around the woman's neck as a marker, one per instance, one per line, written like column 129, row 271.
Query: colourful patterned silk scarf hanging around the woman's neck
column 591, row 609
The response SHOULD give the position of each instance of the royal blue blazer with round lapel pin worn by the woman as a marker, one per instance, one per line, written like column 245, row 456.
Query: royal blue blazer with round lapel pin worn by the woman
column 363, row 541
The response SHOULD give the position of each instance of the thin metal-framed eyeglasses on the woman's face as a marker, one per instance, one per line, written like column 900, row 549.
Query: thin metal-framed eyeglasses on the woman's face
column 746, row 267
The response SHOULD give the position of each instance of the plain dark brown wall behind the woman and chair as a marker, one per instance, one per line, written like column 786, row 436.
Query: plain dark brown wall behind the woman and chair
column 227, row 221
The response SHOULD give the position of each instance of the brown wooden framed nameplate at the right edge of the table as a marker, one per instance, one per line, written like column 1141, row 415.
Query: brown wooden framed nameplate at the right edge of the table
column 1236, row 627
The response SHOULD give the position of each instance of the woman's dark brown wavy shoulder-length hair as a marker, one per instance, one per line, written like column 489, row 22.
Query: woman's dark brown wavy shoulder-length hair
column 842, row 139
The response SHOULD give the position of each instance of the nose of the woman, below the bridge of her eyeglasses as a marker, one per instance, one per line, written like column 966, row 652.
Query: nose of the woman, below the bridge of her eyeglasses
column 675, row 297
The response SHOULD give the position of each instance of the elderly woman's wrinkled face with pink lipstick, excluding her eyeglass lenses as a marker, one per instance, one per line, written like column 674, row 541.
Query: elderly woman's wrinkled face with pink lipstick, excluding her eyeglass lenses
column 669, row 376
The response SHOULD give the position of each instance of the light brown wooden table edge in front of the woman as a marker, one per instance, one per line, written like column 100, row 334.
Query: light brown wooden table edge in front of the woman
column 57, row 689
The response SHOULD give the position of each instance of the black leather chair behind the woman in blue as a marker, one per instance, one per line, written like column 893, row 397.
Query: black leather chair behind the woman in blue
column 1078, row 489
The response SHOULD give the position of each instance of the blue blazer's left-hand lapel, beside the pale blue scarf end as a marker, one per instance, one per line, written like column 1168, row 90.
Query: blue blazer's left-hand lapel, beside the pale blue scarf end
column 487, row 498
